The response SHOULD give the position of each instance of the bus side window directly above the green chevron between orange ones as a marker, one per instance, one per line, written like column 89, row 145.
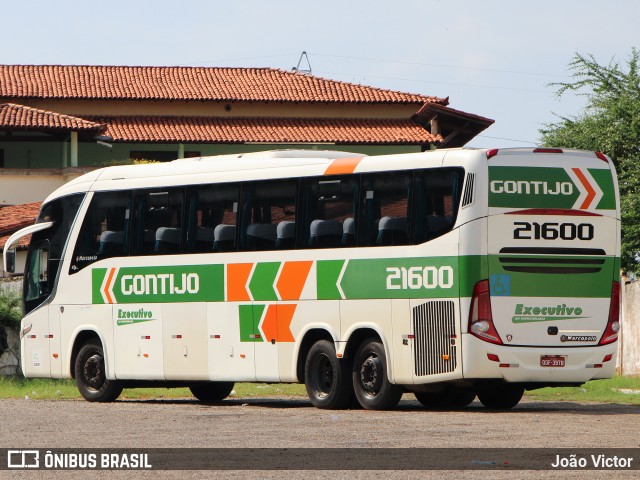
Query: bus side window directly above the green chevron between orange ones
column 265, row 206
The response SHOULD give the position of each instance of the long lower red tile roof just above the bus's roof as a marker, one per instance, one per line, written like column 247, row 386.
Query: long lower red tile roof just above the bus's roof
column 260, row 129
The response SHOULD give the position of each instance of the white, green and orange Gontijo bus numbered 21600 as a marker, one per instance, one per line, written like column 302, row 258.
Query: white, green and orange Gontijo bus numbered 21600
column 448, row 273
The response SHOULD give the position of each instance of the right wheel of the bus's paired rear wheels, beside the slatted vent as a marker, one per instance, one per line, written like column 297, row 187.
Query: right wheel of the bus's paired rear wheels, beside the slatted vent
column 370, row 381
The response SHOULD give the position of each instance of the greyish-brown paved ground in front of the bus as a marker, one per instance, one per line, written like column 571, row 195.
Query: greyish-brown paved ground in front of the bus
column 294, row 423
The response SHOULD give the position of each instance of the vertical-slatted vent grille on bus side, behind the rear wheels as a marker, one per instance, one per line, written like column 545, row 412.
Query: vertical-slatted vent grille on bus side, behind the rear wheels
column 434, row 338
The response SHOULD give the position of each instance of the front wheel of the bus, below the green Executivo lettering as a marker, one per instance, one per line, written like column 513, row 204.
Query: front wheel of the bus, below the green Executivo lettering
column 91, row 377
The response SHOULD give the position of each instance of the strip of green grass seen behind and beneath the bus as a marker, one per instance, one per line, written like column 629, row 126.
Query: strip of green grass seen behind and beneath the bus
column 620, row 390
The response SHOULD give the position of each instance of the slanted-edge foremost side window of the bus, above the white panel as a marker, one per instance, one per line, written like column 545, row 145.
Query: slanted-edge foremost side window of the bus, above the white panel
column 104, row 231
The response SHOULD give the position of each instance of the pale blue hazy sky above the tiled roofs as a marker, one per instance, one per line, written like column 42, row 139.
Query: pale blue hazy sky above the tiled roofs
column 494, row 58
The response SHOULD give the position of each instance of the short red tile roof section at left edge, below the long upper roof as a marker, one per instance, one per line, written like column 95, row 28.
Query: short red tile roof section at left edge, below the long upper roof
column 27, row 118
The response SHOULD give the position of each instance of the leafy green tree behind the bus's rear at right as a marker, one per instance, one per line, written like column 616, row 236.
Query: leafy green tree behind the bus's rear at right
column 610, row 123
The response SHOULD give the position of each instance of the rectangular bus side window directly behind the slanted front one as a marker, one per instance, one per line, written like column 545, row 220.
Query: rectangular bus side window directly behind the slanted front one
column 157, row 228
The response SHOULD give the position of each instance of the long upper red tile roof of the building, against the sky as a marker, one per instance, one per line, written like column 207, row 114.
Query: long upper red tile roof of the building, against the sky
column 188, row 83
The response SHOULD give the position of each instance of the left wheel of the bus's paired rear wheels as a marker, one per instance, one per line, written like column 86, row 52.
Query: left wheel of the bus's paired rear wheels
column 327, row 378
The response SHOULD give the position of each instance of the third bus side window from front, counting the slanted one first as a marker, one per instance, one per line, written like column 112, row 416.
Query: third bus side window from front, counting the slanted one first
column 212, row 218
